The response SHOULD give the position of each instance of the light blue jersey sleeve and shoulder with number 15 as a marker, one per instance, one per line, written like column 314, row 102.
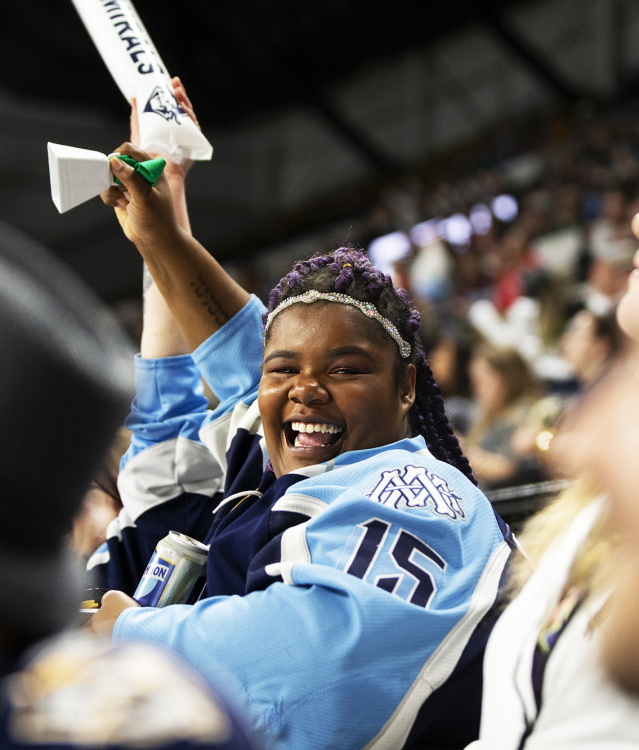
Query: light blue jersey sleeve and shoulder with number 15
column 366, row 604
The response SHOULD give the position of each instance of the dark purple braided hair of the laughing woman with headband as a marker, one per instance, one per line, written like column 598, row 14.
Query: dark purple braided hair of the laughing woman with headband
column 349, row 271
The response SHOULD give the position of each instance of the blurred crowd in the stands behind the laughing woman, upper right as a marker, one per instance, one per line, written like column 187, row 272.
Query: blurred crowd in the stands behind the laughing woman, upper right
column 525, row 244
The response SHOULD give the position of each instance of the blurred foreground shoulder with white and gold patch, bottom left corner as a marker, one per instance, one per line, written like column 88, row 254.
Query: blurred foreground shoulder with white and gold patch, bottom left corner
column 77, row 690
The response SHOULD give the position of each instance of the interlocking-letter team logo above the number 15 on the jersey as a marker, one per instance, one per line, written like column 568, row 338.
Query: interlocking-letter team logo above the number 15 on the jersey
column 415, row 486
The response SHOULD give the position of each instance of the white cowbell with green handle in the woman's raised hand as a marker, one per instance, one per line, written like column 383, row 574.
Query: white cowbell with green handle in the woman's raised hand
column 77, row 174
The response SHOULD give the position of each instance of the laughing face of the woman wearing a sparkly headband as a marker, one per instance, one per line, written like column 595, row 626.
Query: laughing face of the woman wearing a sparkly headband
column 332, row 391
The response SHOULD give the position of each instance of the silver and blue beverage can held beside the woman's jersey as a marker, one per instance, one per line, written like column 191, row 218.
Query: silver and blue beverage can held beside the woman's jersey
column 176, row 567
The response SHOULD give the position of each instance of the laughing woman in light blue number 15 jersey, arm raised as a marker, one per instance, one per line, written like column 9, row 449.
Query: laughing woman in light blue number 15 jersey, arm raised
column 353, row 565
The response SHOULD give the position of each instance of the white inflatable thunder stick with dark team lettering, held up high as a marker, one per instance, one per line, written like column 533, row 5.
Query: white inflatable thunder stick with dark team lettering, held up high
column 136, row 66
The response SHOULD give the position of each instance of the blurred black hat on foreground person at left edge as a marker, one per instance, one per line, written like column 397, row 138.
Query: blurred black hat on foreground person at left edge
column 66, row 382
